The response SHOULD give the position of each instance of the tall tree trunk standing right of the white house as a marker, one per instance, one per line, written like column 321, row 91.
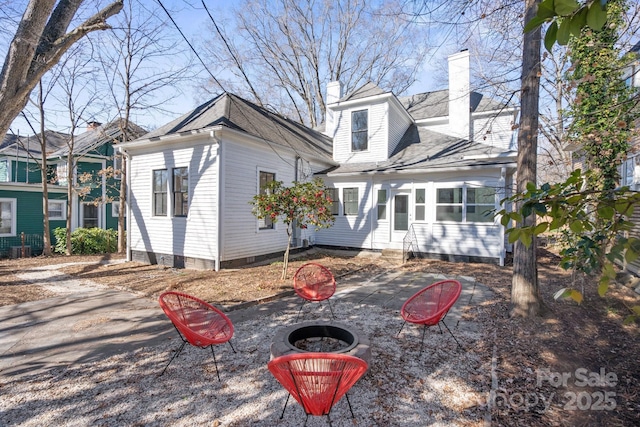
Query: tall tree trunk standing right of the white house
column 525, row 294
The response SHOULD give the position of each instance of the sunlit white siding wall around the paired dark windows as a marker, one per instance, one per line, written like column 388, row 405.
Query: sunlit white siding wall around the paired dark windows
column 193, row 236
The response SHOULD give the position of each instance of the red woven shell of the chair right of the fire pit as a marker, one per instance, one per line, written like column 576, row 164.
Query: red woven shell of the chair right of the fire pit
column 429, row 305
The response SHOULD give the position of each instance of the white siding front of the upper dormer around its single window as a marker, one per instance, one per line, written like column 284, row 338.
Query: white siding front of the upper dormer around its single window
column 378, row 135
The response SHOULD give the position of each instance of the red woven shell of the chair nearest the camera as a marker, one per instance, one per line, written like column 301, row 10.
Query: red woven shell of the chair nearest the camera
column 317, row 380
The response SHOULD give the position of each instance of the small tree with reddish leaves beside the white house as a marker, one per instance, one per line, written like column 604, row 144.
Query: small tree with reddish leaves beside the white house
column 302, row 205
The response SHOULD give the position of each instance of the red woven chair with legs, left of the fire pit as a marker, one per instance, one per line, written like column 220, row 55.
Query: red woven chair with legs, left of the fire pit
column 197, row 322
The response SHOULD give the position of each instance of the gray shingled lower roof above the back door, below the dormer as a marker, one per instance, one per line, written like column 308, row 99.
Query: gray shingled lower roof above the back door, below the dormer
column 421, row 149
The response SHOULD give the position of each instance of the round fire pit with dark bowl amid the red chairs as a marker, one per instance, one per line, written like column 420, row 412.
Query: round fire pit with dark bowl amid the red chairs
column 327, row 337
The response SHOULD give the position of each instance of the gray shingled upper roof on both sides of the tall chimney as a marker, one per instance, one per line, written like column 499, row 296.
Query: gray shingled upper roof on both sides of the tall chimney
column 436, row 104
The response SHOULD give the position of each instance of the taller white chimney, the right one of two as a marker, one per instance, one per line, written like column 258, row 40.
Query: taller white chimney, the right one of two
column 459, row 95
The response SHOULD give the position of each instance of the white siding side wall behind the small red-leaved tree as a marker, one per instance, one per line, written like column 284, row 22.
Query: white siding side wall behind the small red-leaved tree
column 240, row 235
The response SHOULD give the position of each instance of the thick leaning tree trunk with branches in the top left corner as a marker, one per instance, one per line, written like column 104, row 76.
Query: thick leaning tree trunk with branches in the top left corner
column 38, row 44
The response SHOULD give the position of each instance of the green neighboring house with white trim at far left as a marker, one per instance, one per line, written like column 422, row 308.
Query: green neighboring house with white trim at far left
column 95, row 197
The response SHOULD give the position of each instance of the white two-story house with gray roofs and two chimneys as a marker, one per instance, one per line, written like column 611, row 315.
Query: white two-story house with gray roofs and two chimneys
column 424, row 172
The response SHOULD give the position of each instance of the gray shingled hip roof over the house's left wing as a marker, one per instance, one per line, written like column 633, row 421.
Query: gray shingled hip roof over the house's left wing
column 236, row 113
